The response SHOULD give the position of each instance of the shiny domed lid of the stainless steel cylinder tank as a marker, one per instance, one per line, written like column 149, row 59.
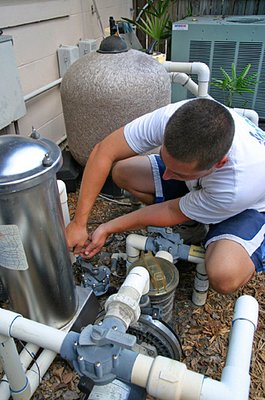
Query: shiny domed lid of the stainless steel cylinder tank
column 23, row 158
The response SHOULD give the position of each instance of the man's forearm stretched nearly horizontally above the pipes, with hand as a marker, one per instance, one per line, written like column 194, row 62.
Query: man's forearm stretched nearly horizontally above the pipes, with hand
column 162, row 214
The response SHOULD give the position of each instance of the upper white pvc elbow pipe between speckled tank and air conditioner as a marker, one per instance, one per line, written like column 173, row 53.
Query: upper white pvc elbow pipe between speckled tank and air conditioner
column 201, row 69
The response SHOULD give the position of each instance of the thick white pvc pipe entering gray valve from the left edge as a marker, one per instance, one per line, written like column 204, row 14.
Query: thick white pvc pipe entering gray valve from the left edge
column 14, row 325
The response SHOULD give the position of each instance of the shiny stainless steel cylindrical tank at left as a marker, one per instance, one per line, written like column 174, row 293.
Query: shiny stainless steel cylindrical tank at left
column 29, row 200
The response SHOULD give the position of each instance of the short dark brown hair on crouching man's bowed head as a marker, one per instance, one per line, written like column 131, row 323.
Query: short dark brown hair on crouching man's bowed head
column 200, row 130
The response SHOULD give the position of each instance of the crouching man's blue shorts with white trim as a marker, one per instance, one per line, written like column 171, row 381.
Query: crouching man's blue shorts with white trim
column 246, row 228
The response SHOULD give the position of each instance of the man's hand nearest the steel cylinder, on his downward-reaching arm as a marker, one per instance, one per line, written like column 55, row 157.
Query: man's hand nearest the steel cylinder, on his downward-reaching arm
column 76, row 237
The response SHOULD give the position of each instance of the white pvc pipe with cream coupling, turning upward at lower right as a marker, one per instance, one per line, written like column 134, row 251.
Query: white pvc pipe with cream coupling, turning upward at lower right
column 167, row 379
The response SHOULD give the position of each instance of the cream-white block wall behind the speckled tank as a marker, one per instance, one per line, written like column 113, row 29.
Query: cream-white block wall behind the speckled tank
column 38, row 28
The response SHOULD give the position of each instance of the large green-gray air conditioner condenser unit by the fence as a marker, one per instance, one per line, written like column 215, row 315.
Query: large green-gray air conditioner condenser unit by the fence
column 219, row 42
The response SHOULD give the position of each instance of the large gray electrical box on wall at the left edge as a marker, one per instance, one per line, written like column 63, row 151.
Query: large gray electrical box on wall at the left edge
column 12, row 105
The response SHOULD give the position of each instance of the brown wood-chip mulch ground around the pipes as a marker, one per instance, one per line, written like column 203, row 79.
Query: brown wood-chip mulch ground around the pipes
column 203, row 331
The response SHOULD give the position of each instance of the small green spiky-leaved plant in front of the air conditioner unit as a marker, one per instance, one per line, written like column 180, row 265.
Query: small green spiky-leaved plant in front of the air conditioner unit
column 235, row 83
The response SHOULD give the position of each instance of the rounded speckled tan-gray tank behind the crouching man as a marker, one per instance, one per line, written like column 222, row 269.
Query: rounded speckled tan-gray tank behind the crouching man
column 103, row 91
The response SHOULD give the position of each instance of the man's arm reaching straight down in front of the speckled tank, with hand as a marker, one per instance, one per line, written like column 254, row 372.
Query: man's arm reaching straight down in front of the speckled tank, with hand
column 113, row 148
